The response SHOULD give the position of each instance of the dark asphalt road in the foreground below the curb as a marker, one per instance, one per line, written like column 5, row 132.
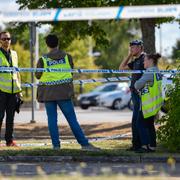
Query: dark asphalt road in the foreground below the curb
column 89, row 169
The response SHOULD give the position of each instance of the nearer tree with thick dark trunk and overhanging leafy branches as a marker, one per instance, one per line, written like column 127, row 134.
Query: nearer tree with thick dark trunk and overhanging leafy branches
column 69, row 30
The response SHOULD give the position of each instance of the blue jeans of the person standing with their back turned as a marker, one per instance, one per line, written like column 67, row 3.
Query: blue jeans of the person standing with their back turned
column 67, row 109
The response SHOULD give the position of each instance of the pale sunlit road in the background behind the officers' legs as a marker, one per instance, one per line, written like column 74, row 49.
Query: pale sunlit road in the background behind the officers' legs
column 89, row 116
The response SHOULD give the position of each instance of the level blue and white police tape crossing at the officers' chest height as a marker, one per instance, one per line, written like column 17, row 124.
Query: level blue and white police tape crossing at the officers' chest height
column 15, row 69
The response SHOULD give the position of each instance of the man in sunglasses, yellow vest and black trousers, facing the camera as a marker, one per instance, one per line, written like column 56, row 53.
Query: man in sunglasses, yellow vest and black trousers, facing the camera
column 10, row 87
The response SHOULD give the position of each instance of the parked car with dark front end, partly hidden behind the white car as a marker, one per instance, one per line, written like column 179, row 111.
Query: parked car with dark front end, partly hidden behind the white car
column 89, row 99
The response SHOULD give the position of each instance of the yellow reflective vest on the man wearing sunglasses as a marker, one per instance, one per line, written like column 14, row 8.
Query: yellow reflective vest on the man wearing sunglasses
column 7, row 79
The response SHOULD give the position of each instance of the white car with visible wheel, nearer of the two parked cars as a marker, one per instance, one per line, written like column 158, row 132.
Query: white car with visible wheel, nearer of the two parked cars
column 117, row 99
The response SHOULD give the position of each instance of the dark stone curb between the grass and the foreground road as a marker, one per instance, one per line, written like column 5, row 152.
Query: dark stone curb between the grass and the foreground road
column 109, row 159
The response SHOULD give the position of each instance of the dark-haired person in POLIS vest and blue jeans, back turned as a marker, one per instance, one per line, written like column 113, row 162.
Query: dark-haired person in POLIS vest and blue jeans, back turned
column 55, row 89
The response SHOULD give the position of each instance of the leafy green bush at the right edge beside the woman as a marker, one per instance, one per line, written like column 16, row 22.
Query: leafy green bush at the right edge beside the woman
column 169, row 131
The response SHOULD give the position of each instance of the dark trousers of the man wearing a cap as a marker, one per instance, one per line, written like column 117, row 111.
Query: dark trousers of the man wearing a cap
column 135, row 129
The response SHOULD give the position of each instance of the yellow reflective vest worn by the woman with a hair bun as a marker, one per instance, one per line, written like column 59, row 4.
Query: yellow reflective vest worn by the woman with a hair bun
column 152, row 99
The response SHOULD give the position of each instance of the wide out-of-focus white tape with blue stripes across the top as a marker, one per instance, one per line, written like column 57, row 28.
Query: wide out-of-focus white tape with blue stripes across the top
column 92, row 13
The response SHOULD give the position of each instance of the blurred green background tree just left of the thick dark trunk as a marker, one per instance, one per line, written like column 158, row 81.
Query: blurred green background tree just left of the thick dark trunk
column 119, row 34
